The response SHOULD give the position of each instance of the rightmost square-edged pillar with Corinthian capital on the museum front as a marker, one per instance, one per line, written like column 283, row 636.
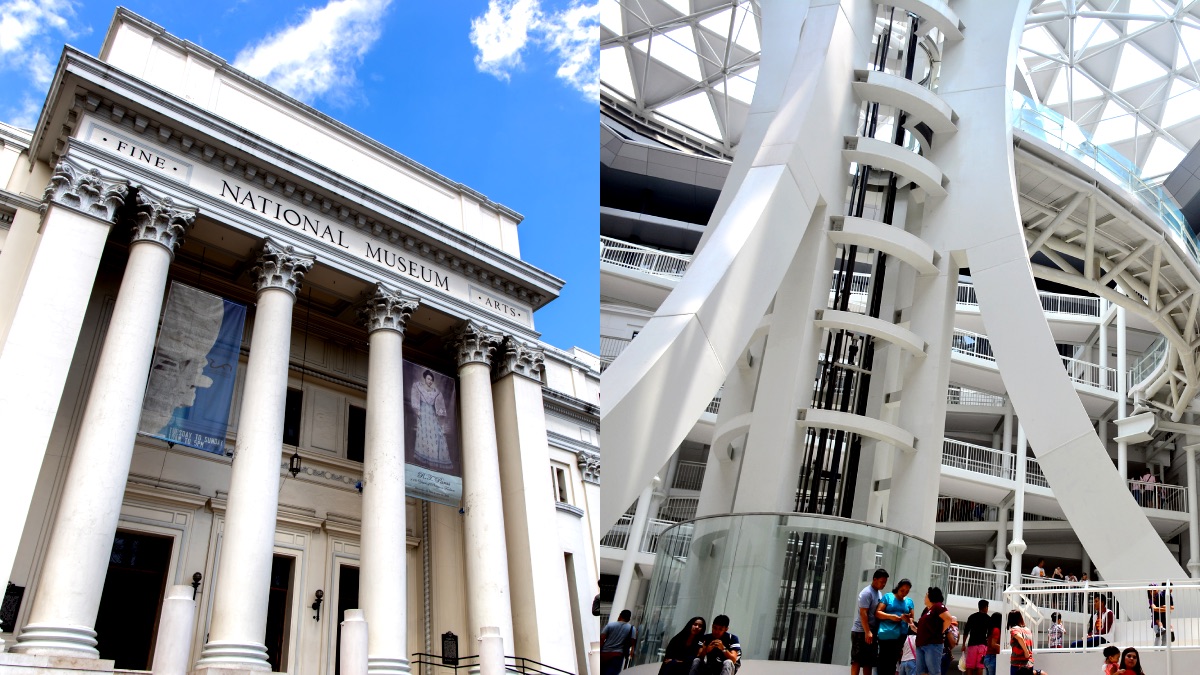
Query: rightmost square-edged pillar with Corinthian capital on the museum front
column 543, row 629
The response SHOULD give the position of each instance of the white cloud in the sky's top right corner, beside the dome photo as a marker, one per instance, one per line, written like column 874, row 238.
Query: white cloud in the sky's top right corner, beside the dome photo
column 503, row 34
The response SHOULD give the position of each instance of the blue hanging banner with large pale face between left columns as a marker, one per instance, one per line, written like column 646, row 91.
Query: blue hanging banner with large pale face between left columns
column 195, row 367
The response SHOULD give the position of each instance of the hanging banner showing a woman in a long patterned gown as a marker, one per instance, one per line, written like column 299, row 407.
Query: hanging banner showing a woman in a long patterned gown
column 433, row 457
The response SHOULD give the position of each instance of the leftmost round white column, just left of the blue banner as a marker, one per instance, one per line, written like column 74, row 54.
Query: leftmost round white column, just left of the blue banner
column 64, row 613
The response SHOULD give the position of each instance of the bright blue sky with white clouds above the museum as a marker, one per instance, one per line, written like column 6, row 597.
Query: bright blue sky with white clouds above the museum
column 496, row 94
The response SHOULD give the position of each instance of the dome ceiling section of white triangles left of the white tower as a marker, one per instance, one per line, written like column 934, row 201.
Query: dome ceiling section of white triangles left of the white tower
column 692, row 64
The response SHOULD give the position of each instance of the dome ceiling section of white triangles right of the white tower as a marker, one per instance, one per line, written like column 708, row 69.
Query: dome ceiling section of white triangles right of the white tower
column 1127, row 71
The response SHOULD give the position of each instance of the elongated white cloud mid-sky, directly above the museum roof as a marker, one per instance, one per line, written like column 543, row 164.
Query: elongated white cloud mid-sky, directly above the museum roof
column 319, row 56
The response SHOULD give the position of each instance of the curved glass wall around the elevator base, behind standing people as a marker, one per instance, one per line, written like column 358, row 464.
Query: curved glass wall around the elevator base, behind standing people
column 788, row 582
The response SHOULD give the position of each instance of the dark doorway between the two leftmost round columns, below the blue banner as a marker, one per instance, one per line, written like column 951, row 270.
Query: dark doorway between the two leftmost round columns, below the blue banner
column 129, row 606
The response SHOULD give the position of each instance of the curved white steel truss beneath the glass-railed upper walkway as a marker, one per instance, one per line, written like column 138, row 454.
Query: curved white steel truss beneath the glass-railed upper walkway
column 1101, row 247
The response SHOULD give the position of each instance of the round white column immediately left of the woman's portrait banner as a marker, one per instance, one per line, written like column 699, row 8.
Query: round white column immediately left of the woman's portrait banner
column 383, row 587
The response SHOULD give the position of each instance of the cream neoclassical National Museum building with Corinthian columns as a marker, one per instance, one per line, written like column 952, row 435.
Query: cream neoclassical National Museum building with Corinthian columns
column 381, row 300
